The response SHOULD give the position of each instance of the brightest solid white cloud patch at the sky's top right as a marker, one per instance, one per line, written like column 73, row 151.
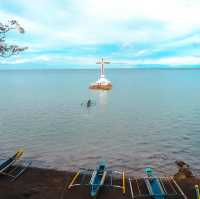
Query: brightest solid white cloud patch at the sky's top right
column 171, row 11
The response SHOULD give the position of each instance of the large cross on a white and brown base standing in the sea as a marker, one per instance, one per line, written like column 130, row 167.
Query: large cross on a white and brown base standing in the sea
column 102, row 83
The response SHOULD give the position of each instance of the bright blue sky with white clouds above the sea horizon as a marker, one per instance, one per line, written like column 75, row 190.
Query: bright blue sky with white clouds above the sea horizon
column 129, row 33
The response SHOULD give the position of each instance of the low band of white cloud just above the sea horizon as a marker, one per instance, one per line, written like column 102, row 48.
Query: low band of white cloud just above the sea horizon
column 90, row 61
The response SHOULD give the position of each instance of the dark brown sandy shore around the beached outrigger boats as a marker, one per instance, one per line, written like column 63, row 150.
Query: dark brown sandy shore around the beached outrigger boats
column 38, row 183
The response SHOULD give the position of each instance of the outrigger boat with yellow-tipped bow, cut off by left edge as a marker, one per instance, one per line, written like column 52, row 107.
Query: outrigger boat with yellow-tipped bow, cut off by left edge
column 9, row 167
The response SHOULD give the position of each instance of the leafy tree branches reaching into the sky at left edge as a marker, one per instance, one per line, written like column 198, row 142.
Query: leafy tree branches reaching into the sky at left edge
column 5, row 49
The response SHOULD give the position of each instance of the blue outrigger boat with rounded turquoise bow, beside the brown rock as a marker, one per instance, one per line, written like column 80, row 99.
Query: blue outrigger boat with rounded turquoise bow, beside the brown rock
column 155, row 188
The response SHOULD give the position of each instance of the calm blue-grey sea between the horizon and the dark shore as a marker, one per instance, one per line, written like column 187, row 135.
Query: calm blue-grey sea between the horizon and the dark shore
column 150, row 118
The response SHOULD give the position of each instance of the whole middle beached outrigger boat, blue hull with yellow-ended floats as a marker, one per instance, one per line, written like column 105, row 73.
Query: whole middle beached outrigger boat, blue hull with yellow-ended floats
column 97, row 179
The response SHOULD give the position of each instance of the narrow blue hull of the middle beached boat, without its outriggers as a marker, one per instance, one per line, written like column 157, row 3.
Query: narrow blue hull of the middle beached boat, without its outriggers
column 98, row 179
